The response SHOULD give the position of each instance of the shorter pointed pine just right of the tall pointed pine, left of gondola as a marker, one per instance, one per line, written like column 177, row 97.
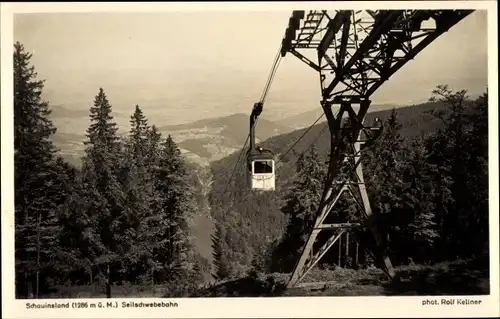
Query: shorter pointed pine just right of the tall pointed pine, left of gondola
column 140, row 162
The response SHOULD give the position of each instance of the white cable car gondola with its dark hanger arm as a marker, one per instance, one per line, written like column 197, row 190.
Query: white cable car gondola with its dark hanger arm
column 260, row 162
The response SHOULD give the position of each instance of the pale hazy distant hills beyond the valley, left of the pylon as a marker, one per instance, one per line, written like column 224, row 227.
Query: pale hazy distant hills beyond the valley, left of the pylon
column 201, row 142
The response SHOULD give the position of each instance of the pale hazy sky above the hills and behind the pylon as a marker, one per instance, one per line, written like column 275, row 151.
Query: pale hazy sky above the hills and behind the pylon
column 184, row 66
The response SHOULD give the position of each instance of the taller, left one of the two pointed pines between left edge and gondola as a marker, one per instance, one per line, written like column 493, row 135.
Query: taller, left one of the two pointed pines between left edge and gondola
column 100, row 165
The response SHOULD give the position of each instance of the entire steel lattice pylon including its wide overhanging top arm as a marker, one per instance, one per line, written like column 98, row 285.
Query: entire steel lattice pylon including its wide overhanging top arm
column 355, row 52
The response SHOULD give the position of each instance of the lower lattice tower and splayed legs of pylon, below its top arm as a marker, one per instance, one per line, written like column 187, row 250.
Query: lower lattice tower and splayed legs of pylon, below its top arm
column 345, row 176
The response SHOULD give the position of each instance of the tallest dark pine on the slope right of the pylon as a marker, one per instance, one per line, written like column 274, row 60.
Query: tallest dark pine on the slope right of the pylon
column 449, row 156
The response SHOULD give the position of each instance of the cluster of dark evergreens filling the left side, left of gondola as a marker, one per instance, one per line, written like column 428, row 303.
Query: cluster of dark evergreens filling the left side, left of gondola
column 120, row 219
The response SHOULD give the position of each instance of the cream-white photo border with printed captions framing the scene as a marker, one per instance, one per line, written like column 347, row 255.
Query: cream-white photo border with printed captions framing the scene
column 271, row 307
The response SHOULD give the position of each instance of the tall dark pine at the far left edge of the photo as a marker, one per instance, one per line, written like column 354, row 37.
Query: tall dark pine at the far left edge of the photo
column 35, row 213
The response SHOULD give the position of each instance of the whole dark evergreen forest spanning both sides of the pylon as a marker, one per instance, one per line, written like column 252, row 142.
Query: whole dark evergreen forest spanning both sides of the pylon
column 122, row 219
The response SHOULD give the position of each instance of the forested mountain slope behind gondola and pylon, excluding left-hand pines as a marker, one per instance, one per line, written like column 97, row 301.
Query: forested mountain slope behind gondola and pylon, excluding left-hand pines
column 251, row 227
